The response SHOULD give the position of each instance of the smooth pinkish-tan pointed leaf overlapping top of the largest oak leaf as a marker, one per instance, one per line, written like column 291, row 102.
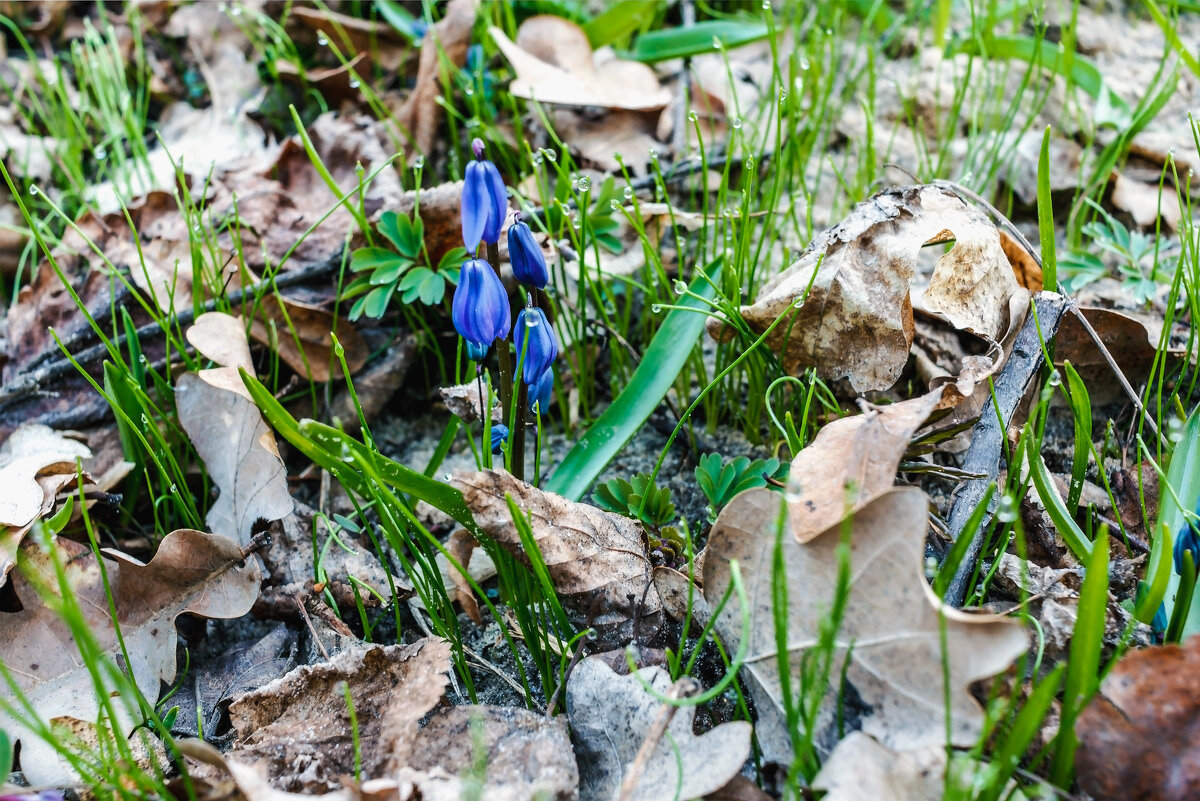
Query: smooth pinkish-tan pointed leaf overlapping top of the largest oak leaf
column 851, row 462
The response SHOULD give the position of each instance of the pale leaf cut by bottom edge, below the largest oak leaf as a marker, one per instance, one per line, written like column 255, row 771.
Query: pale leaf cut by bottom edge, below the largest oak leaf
column 860, row 769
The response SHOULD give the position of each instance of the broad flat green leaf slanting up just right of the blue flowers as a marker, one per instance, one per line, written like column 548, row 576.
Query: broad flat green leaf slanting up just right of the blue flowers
column 664, row 358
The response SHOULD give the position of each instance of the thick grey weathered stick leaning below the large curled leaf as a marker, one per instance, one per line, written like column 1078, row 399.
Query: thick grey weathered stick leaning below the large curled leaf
column 989, row 435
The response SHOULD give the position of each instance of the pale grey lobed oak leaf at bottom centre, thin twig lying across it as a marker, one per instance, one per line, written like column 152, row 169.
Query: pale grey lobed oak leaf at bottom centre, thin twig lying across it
column 611, row 716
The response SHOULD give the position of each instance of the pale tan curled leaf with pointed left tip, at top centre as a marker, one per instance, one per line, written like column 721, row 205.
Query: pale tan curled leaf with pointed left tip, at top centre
column 555, row 64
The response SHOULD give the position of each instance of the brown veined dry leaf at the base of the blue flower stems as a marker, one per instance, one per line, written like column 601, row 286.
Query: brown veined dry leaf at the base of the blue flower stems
column 597, row 561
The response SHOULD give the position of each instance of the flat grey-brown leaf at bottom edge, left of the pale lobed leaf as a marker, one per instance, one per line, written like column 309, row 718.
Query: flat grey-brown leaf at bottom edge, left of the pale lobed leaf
column 527, row 755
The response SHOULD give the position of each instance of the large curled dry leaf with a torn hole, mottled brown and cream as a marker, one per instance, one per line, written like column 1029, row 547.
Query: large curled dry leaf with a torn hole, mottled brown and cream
column 856, row 321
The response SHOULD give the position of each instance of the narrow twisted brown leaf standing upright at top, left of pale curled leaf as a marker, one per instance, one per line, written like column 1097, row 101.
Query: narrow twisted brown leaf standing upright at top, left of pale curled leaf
column 447, row 43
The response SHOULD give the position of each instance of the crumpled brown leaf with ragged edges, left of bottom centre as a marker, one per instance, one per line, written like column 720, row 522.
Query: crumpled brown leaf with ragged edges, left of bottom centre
column 301, row 727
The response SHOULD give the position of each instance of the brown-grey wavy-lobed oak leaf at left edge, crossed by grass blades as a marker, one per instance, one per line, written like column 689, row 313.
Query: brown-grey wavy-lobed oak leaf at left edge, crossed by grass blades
column 194, row 573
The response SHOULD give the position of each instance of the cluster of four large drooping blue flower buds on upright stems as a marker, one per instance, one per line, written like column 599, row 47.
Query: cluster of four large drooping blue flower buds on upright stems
column 481, row 310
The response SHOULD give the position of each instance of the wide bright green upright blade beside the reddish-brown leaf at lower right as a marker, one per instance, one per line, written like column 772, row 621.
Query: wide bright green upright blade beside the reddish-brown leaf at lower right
column 1084, row 661
